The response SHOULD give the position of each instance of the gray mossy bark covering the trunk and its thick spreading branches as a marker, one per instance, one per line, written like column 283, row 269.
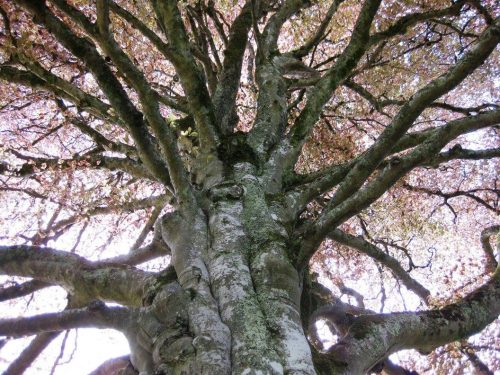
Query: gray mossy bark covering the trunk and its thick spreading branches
column 238, row 297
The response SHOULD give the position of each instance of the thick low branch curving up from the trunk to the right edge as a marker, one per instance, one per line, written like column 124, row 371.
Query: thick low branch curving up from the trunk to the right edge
column 371, row 338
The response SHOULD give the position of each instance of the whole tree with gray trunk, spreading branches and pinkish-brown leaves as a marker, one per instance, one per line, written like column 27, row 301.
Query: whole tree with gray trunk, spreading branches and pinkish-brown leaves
column 249, row 137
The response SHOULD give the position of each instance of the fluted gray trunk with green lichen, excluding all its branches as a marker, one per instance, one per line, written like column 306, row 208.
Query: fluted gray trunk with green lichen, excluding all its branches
column 236, row 306
